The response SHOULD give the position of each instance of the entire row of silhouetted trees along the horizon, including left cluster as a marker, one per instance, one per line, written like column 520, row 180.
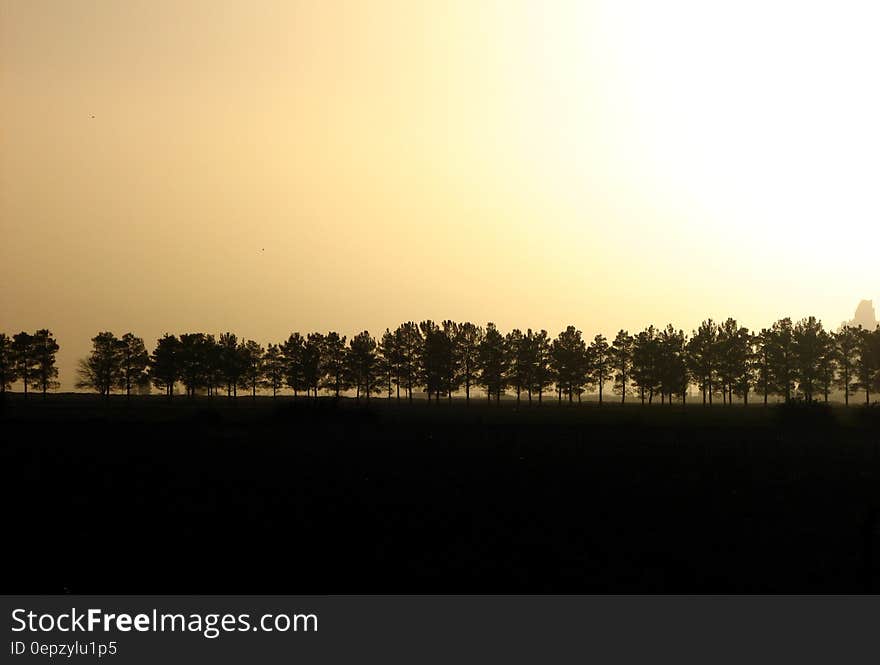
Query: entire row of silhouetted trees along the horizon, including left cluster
column 726, row 362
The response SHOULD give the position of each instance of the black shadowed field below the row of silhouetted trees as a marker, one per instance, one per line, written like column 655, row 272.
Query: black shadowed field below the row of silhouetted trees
column 208, row 496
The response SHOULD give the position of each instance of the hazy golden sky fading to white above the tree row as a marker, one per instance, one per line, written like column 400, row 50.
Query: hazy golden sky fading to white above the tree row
column 264, row 167
